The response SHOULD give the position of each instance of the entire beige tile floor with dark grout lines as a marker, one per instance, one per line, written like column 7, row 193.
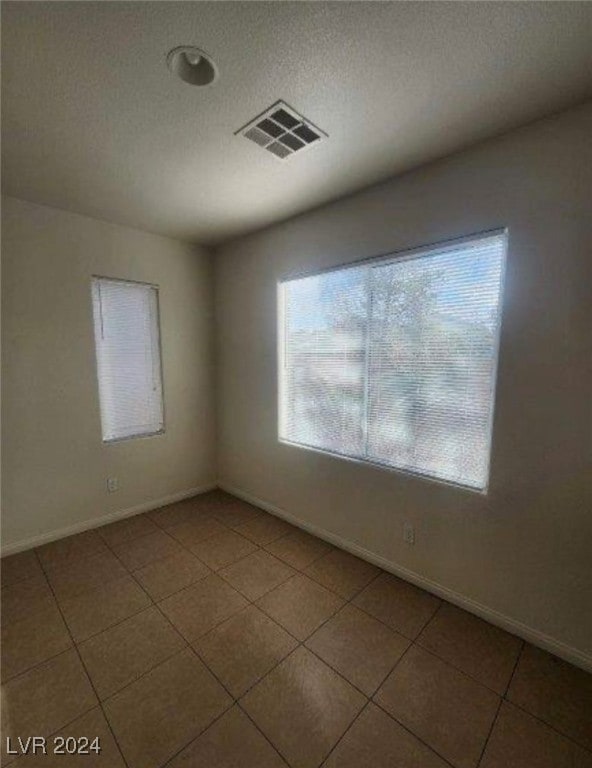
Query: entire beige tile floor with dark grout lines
column 210, row 634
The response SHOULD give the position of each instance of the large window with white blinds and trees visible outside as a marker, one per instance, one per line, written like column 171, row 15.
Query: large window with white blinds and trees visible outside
column 393, row 360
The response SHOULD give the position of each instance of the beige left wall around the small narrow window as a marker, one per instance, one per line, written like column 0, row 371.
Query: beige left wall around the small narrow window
column 54, row 464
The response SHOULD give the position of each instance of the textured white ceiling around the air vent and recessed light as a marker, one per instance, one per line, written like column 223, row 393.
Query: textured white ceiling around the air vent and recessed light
column 94, row 122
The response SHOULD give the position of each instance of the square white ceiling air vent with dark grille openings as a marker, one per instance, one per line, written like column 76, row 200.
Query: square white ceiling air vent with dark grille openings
column 281, row 131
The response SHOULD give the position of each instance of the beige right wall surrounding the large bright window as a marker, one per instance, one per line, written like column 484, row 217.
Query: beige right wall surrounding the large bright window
column 524, row 550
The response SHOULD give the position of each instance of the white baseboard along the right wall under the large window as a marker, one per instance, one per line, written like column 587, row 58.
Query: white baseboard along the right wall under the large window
column 547, row 643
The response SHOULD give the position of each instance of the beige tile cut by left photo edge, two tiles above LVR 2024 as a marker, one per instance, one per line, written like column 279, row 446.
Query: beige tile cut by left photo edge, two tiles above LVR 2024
column 39, row 636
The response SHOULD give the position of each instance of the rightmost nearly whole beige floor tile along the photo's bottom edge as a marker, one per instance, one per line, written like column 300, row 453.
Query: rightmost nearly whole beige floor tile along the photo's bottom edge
column 442, row 706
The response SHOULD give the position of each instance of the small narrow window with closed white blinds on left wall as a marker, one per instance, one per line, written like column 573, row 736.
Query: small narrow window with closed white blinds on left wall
column 127, row 341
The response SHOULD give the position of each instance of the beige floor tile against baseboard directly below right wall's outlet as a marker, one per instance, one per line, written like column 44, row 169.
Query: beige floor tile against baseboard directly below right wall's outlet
column 404, row 607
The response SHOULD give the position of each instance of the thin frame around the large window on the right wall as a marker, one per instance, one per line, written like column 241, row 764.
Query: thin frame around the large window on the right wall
column 397, row 256
